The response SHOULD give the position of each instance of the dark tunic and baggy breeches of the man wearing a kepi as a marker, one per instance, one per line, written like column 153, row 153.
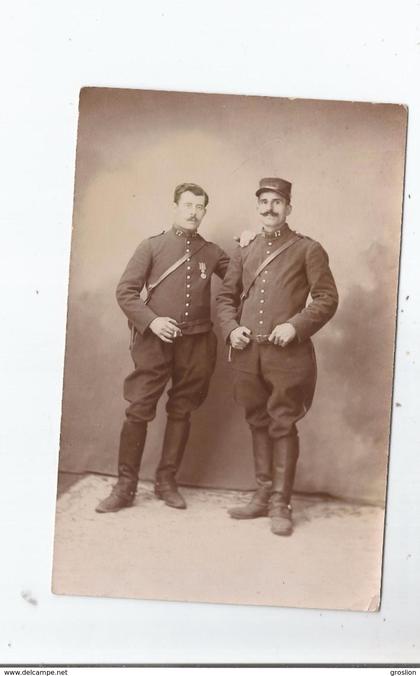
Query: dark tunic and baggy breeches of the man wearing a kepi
column 276, row 384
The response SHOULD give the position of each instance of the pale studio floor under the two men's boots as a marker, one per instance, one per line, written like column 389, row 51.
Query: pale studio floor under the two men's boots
column 150, row 551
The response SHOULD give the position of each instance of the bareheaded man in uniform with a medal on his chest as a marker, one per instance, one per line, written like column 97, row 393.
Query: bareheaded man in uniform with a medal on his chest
column 172, row 338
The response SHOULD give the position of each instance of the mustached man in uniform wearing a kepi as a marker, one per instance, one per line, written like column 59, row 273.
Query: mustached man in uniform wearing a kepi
column 266, row 321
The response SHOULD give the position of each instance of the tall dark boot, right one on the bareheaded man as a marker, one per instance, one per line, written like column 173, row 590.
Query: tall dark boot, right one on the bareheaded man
column 174, row 442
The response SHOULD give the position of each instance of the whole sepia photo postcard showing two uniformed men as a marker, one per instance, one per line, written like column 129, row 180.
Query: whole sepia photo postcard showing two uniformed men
column 230, row 344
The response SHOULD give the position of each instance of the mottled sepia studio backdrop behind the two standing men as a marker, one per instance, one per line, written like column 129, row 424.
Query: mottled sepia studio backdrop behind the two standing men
column 346, row 163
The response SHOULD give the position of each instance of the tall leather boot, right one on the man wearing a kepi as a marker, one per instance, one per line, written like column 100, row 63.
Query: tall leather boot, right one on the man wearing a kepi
column 285, row 456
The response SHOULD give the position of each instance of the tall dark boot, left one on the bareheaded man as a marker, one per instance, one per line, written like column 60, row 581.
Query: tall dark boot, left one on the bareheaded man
column 132, row 440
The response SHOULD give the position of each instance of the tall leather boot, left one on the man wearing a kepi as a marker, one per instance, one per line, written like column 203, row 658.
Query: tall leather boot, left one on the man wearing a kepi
column 262, row 450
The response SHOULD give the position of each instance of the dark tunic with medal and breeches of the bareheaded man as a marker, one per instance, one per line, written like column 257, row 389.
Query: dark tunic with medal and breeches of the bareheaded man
column 184, row 296
